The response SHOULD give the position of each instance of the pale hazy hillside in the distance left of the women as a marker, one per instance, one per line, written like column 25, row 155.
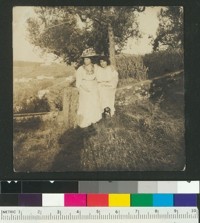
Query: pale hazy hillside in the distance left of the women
column 24, row 91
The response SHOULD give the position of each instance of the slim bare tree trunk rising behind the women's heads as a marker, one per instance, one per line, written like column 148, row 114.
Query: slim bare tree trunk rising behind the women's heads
column 111, row 45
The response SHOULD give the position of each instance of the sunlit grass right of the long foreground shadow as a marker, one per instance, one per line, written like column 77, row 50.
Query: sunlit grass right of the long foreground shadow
column 140, row 137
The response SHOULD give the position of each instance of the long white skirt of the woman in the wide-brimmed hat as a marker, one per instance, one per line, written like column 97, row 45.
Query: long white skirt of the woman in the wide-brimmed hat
column 89, row 110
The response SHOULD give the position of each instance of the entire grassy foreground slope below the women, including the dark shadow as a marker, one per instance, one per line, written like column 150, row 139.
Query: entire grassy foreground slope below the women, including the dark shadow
column 147, row 135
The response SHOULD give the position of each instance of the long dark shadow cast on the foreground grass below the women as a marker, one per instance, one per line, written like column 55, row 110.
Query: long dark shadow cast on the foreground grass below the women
column 71, row 143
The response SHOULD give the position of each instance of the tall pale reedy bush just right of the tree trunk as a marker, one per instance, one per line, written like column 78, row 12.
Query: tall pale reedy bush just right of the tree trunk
column 130, row 66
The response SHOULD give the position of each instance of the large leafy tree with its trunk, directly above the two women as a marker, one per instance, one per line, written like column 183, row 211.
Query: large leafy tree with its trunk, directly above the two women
column 67, row 31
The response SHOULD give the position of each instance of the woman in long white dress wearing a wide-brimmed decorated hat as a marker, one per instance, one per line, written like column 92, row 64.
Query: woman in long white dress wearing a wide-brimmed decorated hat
column 89, row 110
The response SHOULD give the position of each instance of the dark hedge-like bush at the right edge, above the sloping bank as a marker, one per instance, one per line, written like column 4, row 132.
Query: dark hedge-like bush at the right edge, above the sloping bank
column 163, row 62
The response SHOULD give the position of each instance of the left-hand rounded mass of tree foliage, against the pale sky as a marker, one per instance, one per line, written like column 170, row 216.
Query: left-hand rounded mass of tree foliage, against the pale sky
column 54, row 30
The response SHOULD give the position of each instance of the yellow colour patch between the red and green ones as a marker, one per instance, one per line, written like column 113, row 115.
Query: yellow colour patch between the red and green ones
column 119, row 200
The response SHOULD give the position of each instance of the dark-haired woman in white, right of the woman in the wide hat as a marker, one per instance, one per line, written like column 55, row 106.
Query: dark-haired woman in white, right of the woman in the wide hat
column 107, row 78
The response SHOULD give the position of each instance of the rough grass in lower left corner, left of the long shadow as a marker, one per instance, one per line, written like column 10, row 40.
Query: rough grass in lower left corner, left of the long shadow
column 34, row 148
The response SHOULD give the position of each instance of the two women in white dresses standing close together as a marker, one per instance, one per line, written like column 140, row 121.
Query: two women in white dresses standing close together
column 97, row 86
